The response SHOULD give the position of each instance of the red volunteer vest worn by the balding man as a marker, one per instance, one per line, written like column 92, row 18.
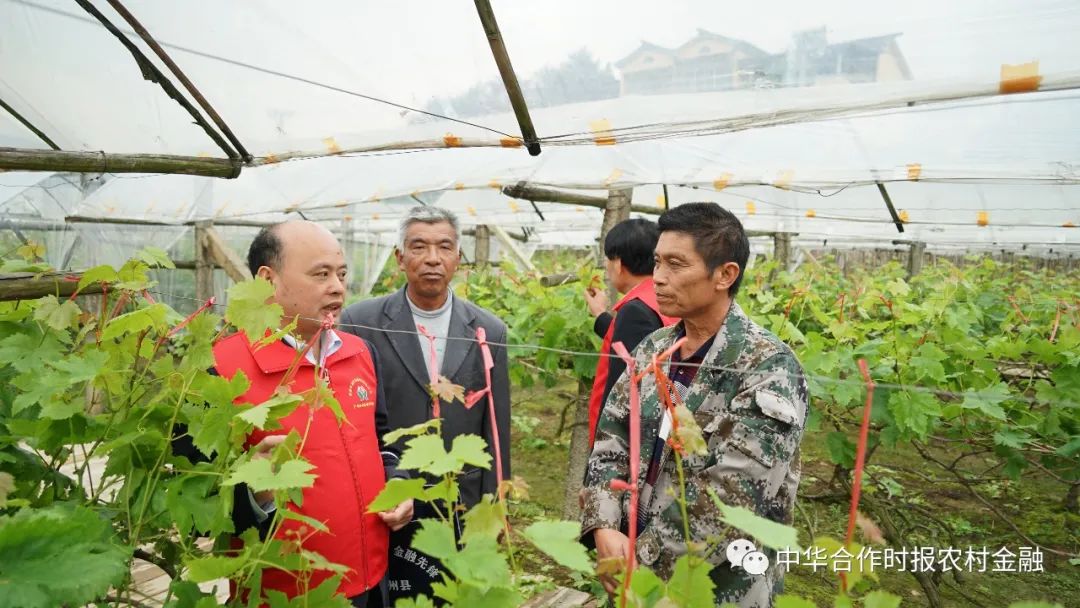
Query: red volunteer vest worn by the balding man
column 346, row 456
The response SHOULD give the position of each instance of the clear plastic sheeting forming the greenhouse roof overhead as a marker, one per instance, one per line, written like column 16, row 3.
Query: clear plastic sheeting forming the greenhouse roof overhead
column 790, row 114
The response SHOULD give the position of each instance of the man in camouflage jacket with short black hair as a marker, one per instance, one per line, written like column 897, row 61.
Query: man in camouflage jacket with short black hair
column 749, row 398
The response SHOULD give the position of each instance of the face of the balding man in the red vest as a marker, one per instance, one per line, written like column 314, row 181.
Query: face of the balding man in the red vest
column 310, row 279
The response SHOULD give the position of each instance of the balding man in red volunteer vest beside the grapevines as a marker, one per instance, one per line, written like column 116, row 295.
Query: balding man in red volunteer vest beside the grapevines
column 307, row 268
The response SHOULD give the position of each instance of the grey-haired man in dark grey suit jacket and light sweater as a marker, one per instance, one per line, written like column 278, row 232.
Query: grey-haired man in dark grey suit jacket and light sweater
column 429, row 252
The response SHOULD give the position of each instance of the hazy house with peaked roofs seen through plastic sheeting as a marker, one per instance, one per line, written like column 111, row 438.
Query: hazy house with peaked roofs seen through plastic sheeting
column 711, row 62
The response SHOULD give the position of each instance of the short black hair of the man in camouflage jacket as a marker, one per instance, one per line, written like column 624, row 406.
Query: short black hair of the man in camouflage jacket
column 719, row 236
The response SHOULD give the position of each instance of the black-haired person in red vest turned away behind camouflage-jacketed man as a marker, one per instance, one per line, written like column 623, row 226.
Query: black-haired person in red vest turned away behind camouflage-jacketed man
column 629, row 249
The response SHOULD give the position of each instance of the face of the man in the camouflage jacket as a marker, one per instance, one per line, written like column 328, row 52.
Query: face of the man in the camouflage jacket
column 684, row 287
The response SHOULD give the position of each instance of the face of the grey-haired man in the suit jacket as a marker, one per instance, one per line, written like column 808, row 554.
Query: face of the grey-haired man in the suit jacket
column 430, row 258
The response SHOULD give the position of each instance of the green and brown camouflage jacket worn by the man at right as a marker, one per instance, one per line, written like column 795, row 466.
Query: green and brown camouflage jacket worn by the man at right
column 752, row 414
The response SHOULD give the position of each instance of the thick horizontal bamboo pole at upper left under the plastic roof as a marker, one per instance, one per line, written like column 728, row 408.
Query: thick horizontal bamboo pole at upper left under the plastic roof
column 20, row 159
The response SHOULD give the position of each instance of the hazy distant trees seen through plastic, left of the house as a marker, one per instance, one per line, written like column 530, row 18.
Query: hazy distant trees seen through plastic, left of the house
column 580, row 78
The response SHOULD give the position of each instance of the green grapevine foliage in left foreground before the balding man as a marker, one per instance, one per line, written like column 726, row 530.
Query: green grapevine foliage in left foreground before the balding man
column 112, row 388
